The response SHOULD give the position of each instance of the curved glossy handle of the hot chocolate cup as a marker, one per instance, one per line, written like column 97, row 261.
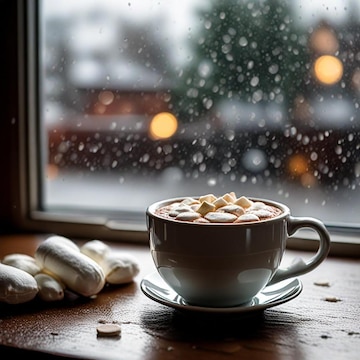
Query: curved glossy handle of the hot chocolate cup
column 299, row 266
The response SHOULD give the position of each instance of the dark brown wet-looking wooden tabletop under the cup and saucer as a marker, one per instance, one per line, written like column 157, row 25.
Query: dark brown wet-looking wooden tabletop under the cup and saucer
column 321, row 323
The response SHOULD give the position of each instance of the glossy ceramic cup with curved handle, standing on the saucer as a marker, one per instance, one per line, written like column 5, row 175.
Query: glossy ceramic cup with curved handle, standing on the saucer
column 221, row 265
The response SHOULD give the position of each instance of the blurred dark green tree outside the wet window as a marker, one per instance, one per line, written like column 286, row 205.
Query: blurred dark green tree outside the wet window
column 244, row 50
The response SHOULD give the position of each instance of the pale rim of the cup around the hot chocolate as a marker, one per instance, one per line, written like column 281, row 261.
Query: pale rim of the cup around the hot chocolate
column 150, row 211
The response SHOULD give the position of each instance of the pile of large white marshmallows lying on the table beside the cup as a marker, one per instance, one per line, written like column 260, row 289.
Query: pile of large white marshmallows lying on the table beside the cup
column 58, row 265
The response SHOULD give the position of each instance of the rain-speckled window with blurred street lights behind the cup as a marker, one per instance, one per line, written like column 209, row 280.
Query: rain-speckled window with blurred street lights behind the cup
column 139, row 101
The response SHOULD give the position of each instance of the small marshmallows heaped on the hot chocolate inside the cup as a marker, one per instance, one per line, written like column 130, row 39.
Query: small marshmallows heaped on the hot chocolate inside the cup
column 223, row 209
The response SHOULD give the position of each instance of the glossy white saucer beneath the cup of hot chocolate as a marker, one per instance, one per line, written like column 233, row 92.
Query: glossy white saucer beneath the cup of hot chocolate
column 154, row 287
